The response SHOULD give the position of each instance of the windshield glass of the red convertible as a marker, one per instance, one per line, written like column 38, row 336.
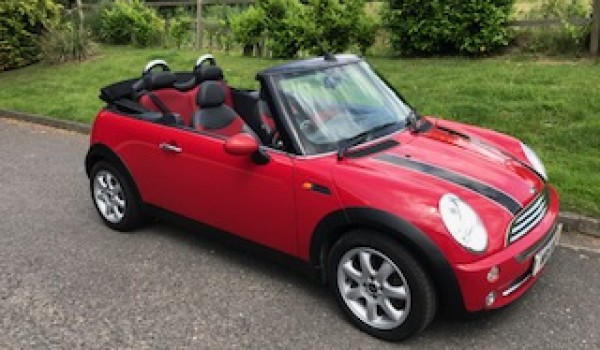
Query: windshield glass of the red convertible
column 334, row 105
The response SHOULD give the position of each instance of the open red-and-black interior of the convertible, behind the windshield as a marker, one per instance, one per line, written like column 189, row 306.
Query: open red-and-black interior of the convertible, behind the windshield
column 200, row 100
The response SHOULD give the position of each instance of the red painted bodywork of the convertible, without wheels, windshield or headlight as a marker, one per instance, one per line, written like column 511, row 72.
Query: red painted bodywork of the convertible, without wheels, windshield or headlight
column 300, row 204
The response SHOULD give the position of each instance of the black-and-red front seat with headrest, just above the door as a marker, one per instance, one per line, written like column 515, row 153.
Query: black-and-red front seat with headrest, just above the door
column 214, row 115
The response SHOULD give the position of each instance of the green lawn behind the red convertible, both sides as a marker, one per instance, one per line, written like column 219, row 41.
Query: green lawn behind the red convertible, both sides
column 552, row 105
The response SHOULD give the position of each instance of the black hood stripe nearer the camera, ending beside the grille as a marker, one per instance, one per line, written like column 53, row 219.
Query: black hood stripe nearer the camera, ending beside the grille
column 497, row 196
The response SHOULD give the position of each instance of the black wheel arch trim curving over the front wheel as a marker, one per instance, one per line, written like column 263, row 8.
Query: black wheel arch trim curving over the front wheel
column 336, row 224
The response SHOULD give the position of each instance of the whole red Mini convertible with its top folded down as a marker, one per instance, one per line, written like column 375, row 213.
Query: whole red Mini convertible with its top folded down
column 402, row 215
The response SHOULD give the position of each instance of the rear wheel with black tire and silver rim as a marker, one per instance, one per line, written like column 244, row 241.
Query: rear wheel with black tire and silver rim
column 115, row 197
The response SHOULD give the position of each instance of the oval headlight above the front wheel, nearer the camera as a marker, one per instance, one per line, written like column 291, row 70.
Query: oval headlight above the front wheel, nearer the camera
column 463, row 223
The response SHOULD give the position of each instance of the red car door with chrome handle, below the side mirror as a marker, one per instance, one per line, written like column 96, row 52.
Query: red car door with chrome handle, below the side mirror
column 189, row 173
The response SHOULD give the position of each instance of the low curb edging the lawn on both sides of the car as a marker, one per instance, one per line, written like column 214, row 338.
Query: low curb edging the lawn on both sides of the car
column 572, row 222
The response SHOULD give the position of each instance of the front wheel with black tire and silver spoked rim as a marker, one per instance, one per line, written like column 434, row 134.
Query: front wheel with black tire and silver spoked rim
column 380, row 286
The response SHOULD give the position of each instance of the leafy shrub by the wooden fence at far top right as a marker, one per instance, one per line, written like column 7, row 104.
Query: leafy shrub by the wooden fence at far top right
column 563, row 39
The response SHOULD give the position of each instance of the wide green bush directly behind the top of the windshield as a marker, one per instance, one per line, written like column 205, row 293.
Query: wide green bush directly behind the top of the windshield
column 316, row 26
